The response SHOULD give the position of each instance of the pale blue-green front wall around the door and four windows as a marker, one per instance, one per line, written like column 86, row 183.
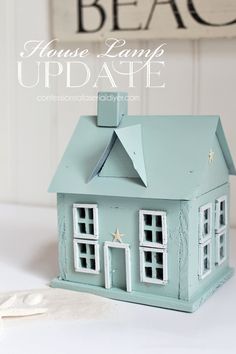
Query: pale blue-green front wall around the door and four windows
column 124, row 214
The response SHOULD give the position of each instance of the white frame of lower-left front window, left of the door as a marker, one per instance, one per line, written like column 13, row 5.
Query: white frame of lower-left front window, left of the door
column 77, row 255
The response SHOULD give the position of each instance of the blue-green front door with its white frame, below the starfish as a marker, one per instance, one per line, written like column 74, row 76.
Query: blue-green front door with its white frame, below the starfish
column 117, row 266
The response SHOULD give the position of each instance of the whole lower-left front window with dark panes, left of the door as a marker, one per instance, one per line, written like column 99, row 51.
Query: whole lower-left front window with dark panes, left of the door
column 86, row 256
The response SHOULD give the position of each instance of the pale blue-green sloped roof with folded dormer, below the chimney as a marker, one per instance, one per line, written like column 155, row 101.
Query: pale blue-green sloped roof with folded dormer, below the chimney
column 172, row 163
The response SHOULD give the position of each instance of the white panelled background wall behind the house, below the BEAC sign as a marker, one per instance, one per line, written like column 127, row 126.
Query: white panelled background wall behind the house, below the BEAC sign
column 200, row 78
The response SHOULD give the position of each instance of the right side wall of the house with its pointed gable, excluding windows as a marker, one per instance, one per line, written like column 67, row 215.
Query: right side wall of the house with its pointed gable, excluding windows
column 215, row 184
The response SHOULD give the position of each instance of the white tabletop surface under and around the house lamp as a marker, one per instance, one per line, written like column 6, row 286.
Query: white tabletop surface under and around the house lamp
column 28, row 259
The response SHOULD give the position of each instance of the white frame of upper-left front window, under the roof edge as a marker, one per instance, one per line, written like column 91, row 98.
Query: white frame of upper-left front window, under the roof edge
column 78, row 234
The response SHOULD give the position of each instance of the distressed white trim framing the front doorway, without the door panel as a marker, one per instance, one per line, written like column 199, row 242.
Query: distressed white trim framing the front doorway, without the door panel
column 107, row 263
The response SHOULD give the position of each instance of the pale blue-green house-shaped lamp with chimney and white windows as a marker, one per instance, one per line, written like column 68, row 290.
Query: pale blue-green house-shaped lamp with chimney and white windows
column 143, row 204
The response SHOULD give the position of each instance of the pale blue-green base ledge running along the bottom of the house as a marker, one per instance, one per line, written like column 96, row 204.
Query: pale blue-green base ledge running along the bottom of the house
column 142, row 298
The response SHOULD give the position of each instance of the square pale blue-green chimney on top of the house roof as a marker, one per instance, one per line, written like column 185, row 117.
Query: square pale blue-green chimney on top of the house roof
column 112, row 107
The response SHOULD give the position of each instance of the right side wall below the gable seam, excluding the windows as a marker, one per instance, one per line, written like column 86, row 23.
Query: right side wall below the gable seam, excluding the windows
column 197, row 285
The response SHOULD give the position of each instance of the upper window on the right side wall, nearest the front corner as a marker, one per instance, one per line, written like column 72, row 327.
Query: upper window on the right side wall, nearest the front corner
column 205, row 222
